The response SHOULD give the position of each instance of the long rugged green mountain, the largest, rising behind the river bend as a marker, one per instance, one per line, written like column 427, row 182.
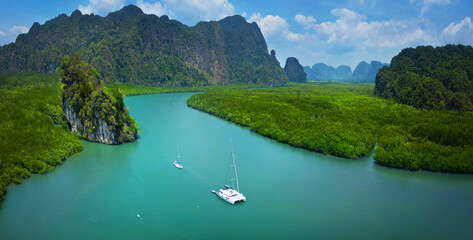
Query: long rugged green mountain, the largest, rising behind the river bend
column 130, row 46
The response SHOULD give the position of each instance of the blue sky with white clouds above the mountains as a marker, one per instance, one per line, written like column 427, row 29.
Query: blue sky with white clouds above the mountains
column 342, row 32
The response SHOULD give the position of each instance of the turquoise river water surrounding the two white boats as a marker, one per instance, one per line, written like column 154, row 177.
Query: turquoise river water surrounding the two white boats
column 291, row 193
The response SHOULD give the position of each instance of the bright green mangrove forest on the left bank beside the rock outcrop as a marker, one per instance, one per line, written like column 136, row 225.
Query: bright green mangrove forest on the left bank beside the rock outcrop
column 33, row 131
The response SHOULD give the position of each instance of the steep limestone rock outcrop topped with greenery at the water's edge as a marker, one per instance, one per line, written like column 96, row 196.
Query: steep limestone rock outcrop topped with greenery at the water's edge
column 88, row 104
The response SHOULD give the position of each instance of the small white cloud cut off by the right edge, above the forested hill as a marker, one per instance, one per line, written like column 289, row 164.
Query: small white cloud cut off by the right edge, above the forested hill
column 459, row 33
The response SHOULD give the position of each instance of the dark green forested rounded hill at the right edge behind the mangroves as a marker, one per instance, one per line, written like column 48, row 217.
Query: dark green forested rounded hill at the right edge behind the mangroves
column 438, row 78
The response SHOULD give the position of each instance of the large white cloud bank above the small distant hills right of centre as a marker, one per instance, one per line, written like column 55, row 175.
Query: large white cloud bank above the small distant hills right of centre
column 347, row 40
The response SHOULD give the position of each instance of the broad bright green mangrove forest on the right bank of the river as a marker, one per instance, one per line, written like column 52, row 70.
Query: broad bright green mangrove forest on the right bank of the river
column 346, row 120
